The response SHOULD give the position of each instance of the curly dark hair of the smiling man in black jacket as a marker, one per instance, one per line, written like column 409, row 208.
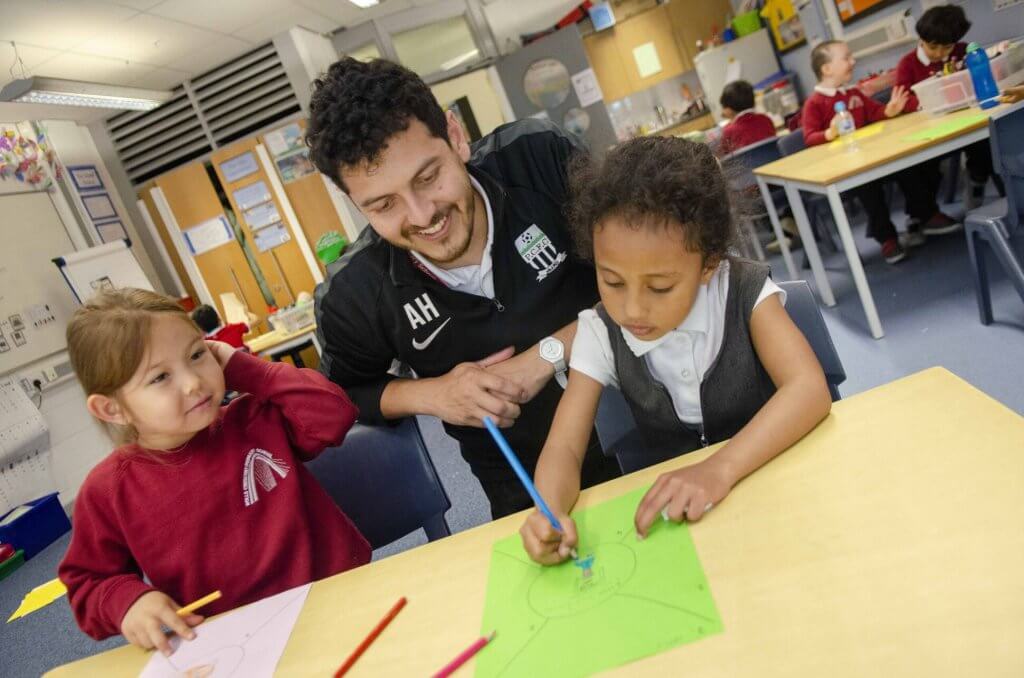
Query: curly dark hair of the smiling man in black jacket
column 357, row 107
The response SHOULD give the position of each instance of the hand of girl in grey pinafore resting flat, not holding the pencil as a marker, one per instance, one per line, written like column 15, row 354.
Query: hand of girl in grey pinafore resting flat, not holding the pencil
column 685, row 495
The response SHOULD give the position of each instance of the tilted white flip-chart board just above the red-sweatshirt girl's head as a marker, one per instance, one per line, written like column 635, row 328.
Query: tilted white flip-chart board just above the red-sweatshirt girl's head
column 110, row 266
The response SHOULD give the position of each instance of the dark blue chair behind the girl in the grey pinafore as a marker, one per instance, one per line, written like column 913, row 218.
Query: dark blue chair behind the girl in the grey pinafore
column 615, row 423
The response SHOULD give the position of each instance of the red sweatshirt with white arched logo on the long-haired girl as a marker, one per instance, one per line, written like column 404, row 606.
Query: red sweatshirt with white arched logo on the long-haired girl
column 234, row 511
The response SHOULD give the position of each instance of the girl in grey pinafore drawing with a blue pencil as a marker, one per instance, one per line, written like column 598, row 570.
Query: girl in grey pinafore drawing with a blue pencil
column 698, row 342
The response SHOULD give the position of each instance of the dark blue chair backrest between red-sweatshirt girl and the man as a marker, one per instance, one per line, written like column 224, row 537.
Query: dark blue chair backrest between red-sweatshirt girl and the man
column 383, row 480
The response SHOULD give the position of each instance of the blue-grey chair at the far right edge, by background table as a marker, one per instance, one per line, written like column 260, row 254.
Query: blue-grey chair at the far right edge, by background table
column 999, row 224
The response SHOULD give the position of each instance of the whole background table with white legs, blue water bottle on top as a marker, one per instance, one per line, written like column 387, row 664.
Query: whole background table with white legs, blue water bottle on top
column 884, row 149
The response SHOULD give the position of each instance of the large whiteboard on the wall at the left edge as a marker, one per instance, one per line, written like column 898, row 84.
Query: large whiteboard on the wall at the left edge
column 35, row 304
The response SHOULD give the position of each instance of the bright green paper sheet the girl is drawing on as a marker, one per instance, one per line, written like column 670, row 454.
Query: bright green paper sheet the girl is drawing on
column 644, row 599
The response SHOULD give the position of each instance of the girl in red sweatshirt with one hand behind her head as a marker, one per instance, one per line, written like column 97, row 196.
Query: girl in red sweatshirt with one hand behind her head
column 200, row 497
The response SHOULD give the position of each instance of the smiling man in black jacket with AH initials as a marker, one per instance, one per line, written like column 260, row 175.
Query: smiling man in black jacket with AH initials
column 381, row 303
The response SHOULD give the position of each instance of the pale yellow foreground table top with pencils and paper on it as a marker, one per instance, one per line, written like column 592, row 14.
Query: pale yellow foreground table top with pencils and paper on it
column 888, row 542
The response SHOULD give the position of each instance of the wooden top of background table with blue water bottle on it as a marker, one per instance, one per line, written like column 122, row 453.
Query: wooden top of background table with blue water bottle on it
column 879, row 144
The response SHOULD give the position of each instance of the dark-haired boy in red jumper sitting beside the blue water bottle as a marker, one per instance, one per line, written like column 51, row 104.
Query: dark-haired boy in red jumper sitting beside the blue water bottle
column 940, row 31
